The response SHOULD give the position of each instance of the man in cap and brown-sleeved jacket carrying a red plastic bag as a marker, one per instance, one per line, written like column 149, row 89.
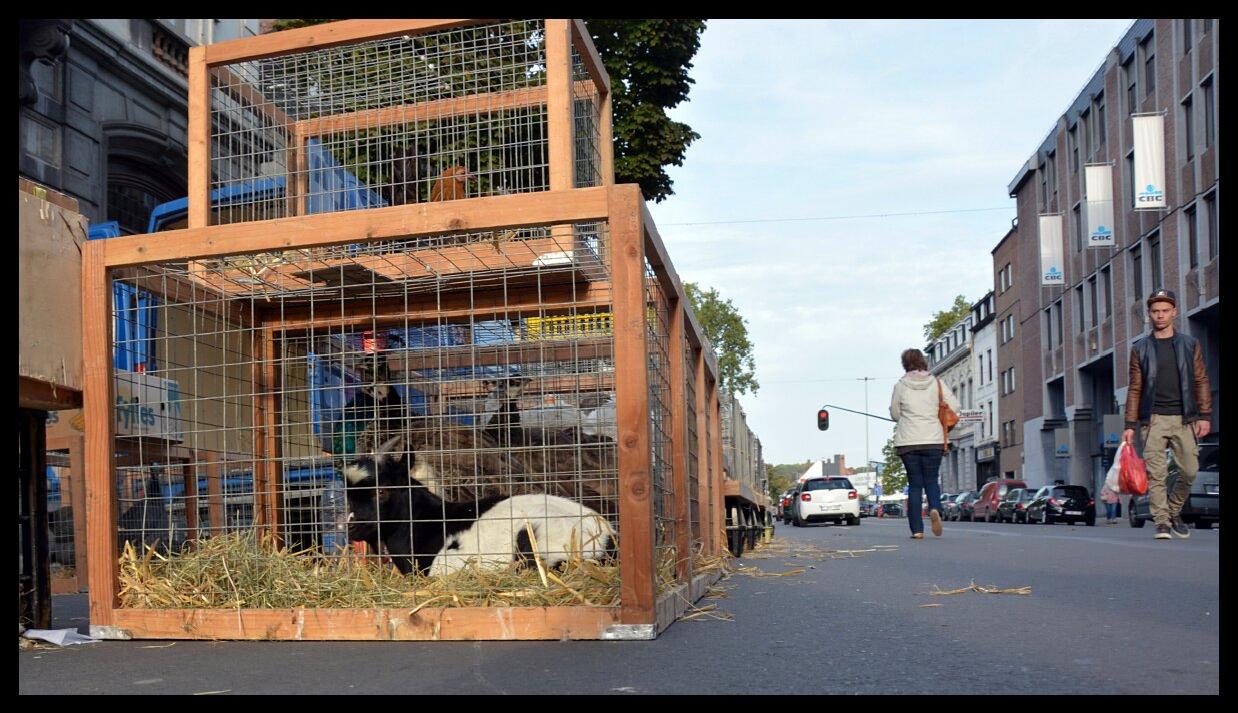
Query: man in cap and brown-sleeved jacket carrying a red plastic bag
column 1172, row 403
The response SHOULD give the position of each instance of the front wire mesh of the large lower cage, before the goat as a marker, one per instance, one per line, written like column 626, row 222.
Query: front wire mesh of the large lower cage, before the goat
column 446, row 403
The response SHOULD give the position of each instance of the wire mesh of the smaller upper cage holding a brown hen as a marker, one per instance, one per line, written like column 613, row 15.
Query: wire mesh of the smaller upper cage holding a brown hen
column 439, row 116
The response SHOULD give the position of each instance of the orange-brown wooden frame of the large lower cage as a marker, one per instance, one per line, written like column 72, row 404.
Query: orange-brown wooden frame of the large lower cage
column 633, row 240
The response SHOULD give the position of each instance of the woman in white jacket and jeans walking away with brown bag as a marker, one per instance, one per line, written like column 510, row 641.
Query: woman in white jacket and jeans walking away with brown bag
column 919, row 438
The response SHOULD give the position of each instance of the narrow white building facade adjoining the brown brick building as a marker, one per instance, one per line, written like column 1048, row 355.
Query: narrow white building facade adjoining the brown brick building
column 985, row 353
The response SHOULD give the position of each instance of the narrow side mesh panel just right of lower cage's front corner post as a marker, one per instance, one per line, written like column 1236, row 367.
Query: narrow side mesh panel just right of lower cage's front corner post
column 658, row 324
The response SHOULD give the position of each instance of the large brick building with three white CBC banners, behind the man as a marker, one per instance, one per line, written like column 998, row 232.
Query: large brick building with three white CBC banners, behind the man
column 1070, row 367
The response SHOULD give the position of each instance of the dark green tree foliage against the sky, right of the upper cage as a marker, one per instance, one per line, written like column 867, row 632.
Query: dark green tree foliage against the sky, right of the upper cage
column 648, row 63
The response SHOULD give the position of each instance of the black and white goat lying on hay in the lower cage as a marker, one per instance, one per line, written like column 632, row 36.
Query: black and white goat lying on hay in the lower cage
column 389, row 506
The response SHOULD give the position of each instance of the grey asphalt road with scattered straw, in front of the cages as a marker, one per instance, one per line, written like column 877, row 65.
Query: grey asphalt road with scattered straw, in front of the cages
column 1111, row 612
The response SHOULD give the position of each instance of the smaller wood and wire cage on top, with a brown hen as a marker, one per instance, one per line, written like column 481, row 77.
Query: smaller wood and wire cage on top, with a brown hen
column 370, row 115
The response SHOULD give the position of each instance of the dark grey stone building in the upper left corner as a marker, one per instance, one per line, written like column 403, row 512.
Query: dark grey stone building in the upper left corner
column 103, row 110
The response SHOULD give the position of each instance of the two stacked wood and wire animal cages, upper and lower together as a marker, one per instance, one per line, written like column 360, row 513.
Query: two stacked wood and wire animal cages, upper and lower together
column 570, row 266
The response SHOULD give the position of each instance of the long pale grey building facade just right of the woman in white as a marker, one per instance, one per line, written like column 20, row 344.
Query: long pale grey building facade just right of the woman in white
column 950, row 360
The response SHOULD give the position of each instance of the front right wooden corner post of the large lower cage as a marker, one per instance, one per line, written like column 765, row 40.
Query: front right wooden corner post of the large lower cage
column 637, row 591
